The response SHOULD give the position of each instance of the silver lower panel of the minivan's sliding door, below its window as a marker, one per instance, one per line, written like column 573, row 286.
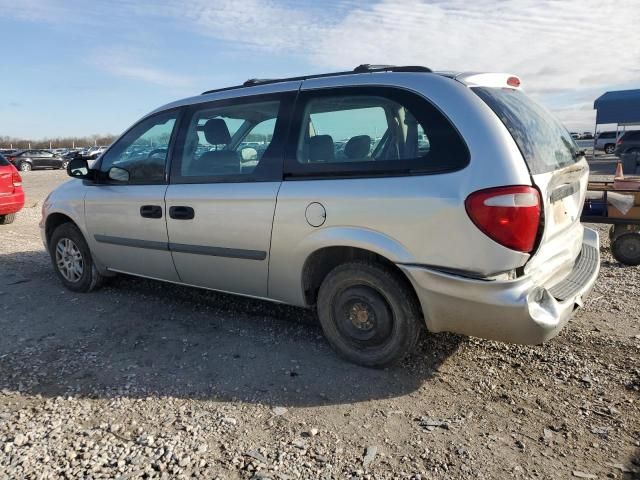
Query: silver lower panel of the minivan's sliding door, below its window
column 230, row 216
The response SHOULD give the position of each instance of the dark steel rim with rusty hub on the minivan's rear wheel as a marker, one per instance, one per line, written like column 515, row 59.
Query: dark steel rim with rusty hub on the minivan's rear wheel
column 363, row 316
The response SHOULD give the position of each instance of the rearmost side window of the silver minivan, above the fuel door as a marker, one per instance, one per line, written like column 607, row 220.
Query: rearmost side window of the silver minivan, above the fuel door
column 363, row 131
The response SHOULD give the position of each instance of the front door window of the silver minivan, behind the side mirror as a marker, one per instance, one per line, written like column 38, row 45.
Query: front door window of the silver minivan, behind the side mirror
column 142, row 152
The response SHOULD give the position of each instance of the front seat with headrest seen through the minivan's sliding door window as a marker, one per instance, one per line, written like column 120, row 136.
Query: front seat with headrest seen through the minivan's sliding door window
column 219, row 162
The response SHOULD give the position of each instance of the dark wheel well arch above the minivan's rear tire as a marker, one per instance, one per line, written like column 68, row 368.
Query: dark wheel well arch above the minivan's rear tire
column 322, row 261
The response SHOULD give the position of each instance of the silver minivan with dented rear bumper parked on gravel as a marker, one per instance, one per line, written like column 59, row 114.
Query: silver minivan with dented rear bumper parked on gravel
column 387, row 198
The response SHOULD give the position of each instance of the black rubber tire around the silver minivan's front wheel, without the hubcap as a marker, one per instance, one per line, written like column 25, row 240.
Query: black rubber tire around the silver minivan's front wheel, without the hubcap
column 89, row 279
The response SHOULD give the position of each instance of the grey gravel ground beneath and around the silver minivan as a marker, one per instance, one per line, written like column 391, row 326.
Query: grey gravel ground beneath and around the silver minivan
column 149, row 380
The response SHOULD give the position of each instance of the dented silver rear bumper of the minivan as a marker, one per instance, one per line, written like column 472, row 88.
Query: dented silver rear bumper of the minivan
column 516, row 311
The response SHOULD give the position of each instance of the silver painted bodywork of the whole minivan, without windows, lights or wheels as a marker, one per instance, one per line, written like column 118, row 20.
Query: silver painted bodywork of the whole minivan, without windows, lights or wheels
column 411, row 221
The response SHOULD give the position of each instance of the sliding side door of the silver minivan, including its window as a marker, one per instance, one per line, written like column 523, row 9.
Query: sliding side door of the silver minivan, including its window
column 223, row 192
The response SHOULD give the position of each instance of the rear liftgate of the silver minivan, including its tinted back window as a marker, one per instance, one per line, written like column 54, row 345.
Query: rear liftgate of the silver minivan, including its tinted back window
column 556, row 168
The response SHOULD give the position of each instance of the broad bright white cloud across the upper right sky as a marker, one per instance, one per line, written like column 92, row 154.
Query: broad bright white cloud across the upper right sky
column 555, row 47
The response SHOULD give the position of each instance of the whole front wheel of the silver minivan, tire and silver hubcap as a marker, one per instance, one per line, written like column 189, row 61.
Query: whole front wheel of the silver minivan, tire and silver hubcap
column 72, row 260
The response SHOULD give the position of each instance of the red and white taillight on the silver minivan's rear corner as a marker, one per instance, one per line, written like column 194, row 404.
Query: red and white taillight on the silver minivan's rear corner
column 508, row 215
